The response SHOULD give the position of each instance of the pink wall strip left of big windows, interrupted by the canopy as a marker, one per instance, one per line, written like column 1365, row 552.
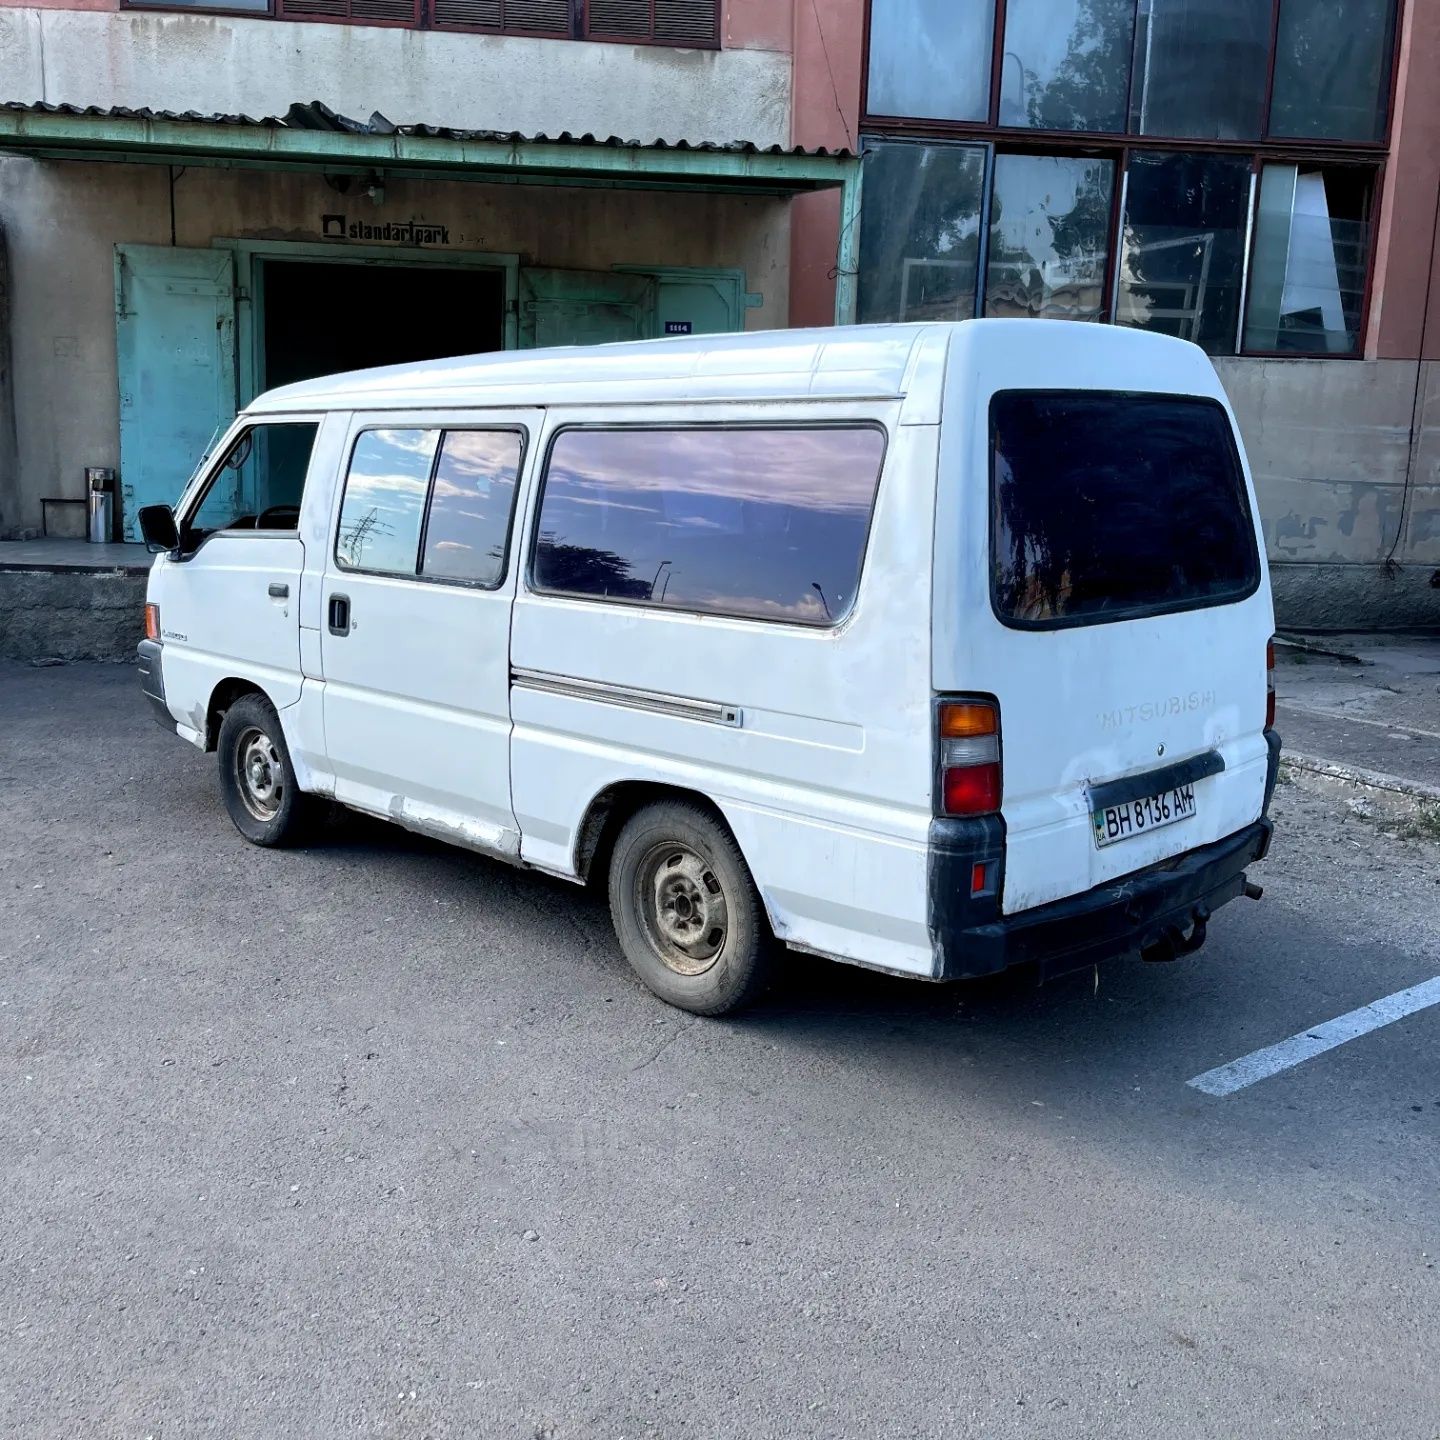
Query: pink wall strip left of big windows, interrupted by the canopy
column 829, row 42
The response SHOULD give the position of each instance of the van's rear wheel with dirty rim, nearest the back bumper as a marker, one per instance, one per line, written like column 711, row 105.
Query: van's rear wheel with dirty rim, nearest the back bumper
column 686, row 911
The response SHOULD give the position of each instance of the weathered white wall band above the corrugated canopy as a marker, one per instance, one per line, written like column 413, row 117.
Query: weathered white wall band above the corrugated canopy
column 256, row 67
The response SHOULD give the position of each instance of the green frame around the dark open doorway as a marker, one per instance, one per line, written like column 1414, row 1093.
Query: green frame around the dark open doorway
column 250, row 287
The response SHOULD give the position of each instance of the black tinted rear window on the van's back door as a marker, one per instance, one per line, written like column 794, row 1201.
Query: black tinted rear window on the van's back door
column 1110, row 506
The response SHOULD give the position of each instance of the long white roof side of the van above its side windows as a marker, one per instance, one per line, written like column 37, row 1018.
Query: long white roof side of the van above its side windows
column 853, row 362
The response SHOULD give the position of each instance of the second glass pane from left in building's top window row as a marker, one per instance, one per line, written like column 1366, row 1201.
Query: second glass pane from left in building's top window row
column 1066, row 64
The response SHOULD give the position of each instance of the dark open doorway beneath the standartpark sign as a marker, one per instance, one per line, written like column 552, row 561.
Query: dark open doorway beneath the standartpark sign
column 322, row 319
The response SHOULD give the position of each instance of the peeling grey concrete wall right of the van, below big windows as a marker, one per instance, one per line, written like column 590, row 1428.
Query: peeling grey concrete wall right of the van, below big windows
column 1350, row 498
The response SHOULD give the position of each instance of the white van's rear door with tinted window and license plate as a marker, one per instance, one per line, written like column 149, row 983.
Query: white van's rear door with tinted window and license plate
column 1121, row 618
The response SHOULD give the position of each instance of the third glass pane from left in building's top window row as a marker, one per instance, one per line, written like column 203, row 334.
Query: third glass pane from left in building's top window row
column 1200, row 68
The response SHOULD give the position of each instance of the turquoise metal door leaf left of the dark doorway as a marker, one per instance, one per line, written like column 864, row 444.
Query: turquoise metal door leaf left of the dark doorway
column 175, row 339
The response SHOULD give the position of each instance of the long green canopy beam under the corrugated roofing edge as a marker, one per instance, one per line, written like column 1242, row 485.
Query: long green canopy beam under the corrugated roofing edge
column 539, row 162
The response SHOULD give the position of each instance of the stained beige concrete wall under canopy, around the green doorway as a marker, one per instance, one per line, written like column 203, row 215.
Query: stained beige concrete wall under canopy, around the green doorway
column 66, row 218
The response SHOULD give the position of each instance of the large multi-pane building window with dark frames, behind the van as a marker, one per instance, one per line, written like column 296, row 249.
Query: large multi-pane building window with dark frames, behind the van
column 1160, row 163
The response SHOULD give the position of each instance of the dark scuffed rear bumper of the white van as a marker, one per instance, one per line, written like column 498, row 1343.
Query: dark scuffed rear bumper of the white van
column 1138, row 912
